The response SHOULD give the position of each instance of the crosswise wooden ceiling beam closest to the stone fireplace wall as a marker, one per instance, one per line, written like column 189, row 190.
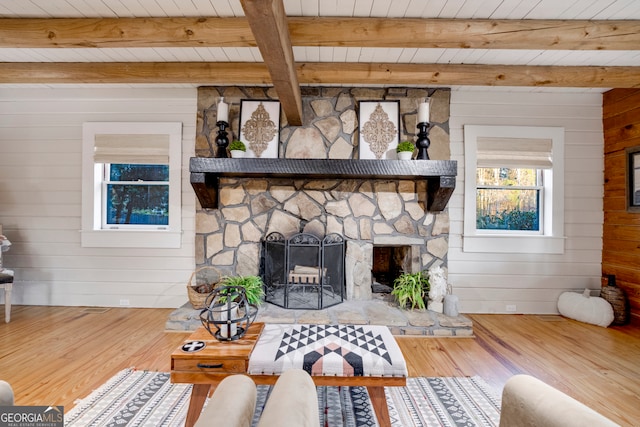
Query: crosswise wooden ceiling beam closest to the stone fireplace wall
column 243, row 73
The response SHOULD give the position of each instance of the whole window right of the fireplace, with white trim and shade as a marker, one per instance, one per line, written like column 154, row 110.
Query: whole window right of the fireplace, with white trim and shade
column 514, row 189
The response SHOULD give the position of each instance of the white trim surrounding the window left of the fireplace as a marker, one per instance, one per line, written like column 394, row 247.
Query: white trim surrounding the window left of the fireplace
column 92, row 233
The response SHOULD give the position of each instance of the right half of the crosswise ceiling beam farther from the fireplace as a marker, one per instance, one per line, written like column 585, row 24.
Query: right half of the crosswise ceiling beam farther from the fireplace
column 466, row 33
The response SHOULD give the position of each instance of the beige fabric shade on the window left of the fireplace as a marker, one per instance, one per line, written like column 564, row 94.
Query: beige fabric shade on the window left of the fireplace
column 131, row 148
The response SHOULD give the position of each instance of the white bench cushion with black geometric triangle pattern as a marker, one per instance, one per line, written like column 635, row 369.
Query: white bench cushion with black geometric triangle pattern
column 328, row 350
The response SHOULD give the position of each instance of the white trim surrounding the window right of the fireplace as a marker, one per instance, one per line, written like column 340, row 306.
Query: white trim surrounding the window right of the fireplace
column 552, row 239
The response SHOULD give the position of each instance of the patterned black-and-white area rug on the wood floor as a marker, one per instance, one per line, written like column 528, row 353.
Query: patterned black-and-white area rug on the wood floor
column 142, row 398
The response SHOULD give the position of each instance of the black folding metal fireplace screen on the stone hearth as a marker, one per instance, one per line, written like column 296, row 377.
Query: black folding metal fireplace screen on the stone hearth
column 304, row 272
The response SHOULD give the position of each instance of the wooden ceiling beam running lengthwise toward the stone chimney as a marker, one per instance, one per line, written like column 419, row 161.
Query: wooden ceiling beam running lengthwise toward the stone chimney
column 268, row 22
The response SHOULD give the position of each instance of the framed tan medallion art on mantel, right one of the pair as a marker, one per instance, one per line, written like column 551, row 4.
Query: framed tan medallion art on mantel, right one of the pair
column 379, row 129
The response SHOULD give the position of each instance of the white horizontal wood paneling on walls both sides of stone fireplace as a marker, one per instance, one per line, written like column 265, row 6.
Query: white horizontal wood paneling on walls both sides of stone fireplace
column 40, row 140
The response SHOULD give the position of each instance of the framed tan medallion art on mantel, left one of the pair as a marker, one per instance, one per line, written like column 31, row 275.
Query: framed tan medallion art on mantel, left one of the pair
column 260, row 127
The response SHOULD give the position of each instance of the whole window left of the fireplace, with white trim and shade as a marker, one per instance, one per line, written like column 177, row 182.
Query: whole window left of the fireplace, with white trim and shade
column 131, row 185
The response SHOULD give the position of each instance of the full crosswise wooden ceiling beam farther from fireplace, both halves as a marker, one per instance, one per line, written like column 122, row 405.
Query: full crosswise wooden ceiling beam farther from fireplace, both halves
column 325, row 31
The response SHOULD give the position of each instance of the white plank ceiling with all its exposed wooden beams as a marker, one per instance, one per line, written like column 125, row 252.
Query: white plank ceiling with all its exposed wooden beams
column 532, row 43
